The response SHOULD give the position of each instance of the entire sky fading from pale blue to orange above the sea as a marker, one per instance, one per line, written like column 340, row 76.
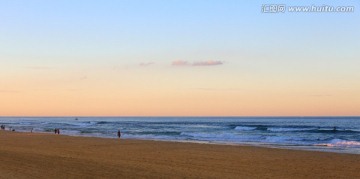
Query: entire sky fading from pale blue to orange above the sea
column 178, row 58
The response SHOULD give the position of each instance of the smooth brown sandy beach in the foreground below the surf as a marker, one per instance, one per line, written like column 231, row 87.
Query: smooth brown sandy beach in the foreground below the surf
column 40, row 155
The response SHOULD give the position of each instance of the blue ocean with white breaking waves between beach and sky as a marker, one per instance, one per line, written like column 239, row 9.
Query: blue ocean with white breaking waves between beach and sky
column 330, row 134
